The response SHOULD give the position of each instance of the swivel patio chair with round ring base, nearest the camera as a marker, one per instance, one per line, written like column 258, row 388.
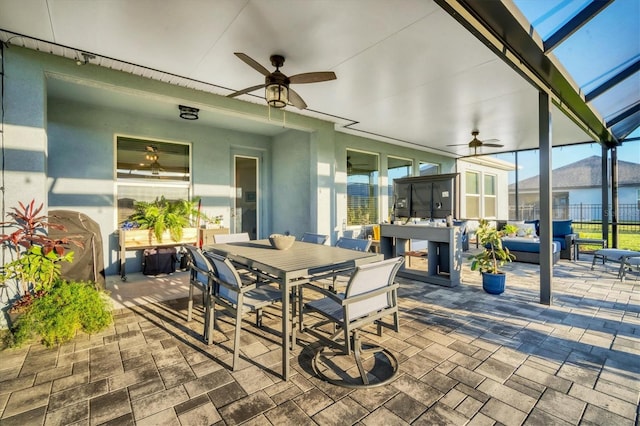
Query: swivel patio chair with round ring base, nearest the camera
column 370, row 296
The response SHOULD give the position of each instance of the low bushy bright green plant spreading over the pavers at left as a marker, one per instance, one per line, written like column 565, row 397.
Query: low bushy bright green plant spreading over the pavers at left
column 58, row 315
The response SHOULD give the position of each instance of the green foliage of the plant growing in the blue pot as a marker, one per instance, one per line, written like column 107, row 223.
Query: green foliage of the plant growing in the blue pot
column 494, row 254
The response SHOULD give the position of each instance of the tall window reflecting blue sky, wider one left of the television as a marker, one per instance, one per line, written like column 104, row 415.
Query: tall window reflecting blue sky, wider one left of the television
column 362, row 188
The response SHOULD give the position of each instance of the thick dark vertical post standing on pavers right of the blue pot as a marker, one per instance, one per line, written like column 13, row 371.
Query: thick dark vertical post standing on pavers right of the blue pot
column 546, row 197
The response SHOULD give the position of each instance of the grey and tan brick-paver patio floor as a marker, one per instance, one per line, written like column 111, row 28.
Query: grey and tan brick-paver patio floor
column 466, row 358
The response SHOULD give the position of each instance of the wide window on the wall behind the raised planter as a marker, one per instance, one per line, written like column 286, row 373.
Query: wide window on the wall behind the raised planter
column 147, row 170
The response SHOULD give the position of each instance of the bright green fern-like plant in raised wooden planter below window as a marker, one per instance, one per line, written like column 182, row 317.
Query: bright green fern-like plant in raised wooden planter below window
column 162, row 215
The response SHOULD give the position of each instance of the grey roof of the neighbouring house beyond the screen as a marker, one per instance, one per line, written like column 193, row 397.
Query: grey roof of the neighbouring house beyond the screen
column 585, row 173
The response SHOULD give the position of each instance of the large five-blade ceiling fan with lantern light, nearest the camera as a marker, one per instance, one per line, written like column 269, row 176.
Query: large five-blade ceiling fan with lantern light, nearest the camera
column 276, row 84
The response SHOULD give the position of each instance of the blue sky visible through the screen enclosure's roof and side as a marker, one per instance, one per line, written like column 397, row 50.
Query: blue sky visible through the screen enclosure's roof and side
column 613, row 40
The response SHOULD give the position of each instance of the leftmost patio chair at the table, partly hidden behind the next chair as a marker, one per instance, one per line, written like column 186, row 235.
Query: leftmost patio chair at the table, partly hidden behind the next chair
column 201, row 277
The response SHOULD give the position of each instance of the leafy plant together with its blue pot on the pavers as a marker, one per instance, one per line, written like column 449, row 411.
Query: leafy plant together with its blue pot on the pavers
column 491, row 258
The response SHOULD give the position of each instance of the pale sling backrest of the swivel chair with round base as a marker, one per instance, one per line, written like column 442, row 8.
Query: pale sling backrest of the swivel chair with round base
column 372, row 278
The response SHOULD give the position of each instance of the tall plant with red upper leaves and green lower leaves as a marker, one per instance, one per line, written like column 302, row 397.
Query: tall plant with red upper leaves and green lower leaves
column 35, row 255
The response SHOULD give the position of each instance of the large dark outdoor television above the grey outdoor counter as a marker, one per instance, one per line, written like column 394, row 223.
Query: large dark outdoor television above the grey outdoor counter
column 426, row 197
